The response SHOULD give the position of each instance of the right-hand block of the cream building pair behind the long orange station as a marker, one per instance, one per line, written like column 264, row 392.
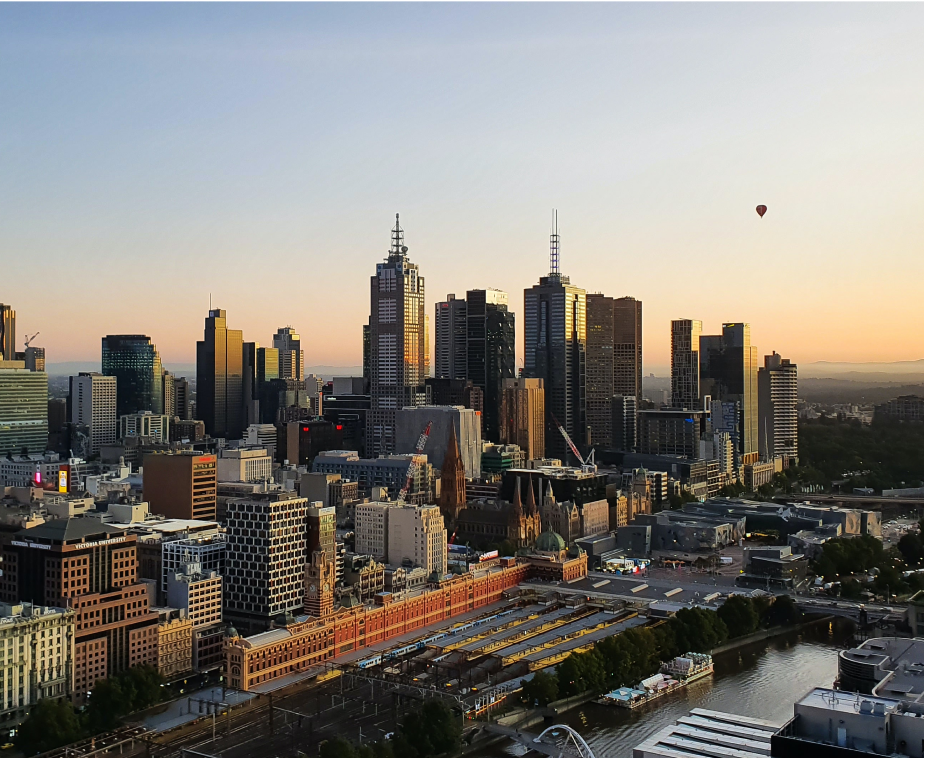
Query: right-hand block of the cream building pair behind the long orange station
column 417, row 534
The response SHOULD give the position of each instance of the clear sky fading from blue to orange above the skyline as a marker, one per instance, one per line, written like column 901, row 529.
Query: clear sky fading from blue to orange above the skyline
column 155, row 155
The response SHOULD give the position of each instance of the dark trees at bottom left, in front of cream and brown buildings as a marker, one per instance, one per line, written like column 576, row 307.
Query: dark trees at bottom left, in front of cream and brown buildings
column 53, row 723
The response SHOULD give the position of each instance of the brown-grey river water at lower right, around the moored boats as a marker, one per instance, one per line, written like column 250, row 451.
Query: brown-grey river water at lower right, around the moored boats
column 761, row 680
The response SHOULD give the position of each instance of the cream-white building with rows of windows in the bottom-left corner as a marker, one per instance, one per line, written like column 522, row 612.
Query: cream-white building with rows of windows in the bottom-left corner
column 36, row 657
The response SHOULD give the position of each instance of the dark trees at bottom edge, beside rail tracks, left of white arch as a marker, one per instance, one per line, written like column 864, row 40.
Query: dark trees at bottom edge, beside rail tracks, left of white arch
column 433, row 729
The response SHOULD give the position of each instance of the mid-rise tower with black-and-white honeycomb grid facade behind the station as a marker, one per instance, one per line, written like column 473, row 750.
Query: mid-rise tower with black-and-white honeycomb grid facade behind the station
column 265, row 572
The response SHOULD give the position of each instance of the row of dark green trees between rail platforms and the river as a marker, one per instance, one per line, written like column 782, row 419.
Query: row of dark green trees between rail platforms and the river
column 627, row 658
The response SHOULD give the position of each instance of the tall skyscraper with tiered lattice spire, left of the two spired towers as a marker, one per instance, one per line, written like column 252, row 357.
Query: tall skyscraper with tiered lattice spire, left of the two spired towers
column 396, row 323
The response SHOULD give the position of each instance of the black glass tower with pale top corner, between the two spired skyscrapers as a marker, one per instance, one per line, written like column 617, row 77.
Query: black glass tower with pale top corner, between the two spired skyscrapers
column 489, row 350
